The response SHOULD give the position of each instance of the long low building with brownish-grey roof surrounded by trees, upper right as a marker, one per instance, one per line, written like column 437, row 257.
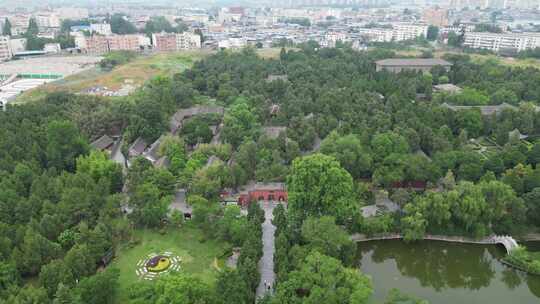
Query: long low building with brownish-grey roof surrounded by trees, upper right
column 397, row 65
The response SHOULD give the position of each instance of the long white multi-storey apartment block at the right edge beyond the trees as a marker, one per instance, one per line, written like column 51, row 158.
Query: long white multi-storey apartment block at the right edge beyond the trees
column 496, row 42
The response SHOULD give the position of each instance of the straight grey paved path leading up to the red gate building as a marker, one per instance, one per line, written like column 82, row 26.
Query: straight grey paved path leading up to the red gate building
column 266, row 264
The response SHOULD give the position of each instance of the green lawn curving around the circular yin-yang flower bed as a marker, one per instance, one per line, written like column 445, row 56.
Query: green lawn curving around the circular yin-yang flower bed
column 197, row 257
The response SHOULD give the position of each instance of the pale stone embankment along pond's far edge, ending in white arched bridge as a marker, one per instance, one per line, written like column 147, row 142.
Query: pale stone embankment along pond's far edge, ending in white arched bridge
column 507, row 241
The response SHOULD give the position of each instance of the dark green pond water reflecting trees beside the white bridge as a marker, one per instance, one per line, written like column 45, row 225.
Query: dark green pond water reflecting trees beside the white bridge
column 446, row 273
